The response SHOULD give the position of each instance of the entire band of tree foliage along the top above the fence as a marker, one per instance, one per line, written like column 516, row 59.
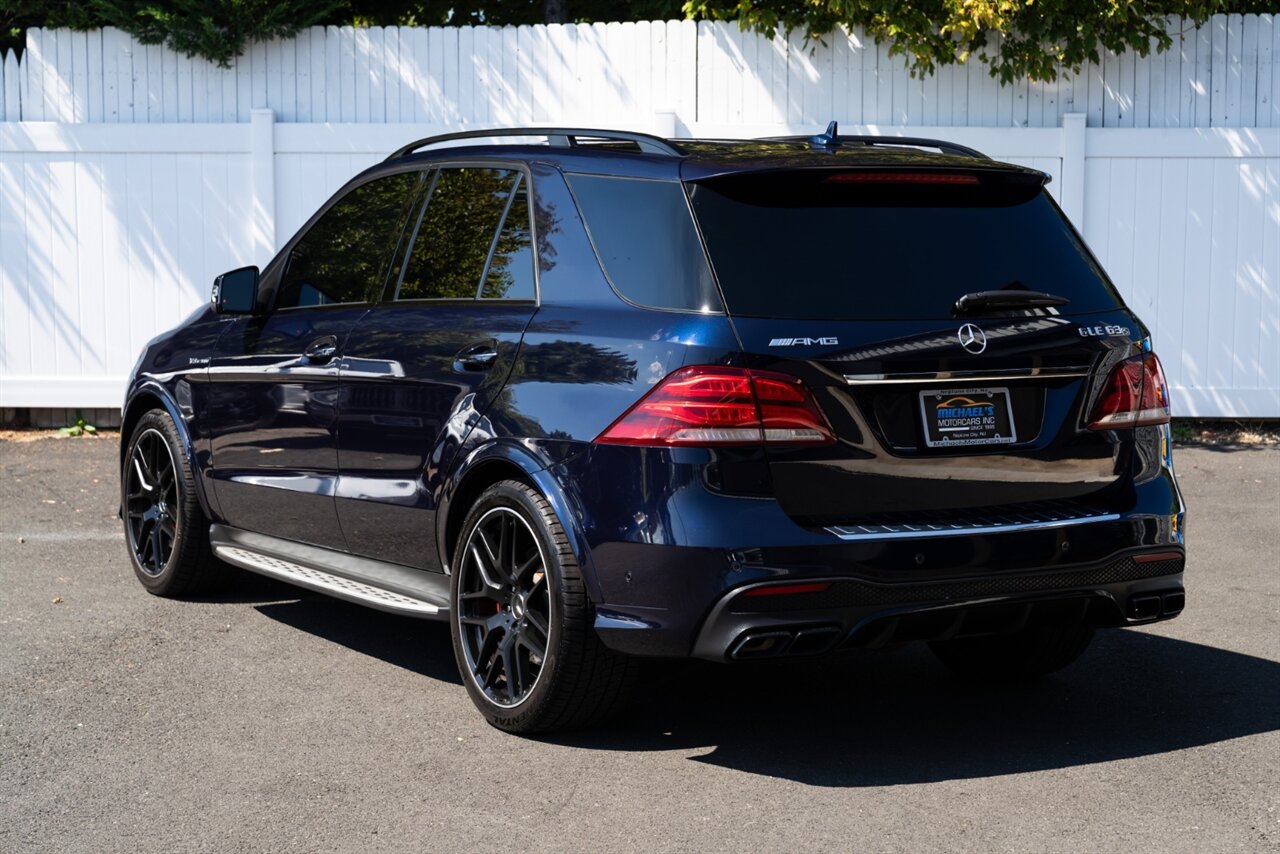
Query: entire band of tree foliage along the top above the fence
column 1016, row 38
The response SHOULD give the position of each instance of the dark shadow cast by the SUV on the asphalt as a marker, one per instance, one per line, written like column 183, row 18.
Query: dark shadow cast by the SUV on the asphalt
column 874, row 719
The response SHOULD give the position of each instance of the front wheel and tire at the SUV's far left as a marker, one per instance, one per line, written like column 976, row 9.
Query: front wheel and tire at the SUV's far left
column 166, row 529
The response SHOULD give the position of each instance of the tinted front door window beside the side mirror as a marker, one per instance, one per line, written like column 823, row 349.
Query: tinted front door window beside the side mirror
column 344, row 257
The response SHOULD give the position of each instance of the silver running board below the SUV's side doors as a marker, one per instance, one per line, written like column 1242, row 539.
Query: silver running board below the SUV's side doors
column 387, row 587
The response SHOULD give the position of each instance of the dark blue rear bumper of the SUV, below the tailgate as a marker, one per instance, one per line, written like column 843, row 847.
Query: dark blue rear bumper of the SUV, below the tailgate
column 666, row 565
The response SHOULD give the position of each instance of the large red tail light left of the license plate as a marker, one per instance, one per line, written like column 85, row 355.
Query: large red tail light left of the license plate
column 723, row 407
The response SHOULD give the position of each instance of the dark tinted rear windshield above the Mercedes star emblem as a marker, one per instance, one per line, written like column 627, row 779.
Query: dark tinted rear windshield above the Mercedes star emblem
column 838, row 246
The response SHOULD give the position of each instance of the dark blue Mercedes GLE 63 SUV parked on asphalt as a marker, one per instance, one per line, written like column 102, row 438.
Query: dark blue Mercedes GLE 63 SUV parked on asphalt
column 595, row 396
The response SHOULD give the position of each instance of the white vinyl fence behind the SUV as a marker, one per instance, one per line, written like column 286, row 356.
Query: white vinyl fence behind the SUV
column 112, row 232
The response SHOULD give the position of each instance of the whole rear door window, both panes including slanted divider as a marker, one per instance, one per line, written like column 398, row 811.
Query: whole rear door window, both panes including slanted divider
column 473, row 240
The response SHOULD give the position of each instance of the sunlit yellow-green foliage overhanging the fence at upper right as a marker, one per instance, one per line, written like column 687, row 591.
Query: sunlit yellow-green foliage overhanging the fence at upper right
column 1016, row 38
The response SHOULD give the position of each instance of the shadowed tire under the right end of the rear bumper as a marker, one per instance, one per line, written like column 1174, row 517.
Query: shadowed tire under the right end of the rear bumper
column 1031, row 654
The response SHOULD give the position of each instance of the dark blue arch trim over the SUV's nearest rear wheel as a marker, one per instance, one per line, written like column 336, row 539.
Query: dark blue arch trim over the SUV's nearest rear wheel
column 501, row 462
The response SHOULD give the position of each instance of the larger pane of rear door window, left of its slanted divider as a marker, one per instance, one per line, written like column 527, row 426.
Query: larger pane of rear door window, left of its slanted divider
column 456, row 232
